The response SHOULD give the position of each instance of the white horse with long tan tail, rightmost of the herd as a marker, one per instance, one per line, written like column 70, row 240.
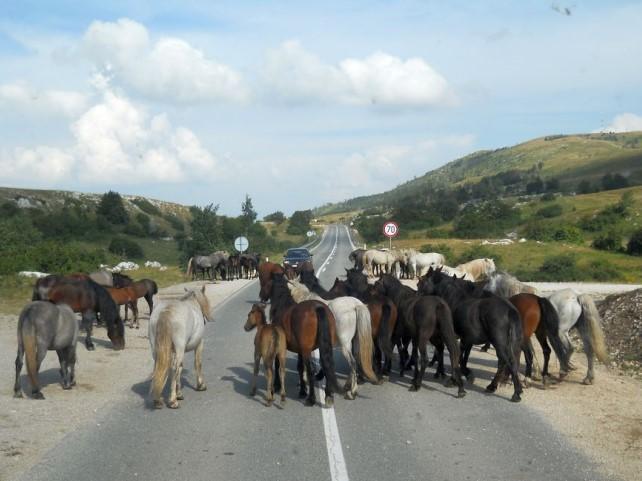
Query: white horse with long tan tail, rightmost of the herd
column 578, row 310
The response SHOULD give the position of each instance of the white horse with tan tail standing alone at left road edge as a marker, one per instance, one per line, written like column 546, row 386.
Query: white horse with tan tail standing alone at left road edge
column 175, row 327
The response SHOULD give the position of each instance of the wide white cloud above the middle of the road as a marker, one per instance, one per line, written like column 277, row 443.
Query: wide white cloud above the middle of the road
column 380, row 79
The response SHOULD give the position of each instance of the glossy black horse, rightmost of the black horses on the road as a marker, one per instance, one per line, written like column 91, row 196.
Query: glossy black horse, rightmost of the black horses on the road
column 480, row 317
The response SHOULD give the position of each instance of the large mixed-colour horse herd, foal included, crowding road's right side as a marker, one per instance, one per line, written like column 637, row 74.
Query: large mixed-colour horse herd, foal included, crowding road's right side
column 367, row 320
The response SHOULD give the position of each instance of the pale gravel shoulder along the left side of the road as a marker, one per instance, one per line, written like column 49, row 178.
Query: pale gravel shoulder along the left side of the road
column 29, row 428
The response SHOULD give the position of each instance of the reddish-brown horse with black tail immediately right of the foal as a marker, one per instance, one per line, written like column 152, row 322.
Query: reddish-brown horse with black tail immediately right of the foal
column 308, row 325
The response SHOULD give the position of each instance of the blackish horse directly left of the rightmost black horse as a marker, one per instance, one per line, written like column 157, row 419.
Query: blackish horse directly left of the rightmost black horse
column 423, row 318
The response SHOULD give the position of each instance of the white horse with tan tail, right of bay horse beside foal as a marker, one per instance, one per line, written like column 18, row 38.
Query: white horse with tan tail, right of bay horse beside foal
column 352, row 319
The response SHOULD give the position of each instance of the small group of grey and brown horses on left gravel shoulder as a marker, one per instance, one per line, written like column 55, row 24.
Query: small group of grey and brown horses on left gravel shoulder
column 49, row 321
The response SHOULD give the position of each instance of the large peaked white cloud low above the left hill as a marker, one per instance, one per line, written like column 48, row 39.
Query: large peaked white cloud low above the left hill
column 116, row 141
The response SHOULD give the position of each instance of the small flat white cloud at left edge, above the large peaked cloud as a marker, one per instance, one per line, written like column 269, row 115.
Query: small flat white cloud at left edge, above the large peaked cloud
column 39, row 102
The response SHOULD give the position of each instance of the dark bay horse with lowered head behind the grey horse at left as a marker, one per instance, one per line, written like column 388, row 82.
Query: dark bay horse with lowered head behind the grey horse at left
column 89, row 298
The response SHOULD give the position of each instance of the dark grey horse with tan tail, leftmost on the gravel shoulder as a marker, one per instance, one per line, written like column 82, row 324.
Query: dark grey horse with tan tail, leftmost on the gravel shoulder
column 42, row 327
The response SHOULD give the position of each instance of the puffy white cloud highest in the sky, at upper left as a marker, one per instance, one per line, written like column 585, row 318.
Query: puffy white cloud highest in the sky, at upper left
column 169, row 68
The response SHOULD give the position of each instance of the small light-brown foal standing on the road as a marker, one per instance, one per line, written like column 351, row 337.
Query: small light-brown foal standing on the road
column 269, row 344
